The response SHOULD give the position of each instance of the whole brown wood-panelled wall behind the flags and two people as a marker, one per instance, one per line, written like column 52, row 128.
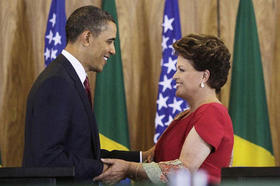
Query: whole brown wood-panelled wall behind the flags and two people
column 23, row 24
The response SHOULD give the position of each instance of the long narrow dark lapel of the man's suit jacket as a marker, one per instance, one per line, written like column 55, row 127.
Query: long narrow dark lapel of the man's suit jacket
column 79, row 87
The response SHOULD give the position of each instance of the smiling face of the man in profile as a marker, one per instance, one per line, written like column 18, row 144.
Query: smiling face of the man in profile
column 101, row 47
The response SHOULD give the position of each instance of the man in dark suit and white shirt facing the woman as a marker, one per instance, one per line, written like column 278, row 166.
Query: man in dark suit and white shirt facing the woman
column 61, row 129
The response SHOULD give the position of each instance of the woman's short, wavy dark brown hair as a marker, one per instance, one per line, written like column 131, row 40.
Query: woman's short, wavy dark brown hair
column 207, row 53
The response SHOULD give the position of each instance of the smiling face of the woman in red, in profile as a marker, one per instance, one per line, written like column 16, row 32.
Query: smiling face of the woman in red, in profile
column 187, row 78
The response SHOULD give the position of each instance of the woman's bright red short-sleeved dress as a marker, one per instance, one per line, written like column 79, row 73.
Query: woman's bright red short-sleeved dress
column 213, row 124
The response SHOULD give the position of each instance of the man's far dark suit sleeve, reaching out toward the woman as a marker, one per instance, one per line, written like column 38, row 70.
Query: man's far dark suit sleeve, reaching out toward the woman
column 124, row 155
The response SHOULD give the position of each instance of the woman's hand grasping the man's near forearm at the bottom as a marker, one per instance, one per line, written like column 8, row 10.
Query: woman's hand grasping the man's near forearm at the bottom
column 117, row 171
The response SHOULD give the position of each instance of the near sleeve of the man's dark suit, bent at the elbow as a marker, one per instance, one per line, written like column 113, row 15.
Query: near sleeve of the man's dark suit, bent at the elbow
column 49, row 128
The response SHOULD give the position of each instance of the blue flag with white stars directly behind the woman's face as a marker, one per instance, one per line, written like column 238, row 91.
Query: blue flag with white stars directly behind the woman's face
column 168, row 105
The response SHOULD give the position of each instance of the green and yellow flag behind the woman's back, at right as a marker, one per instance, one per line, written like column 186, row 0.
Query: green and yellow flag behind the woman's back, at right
column 248, row 107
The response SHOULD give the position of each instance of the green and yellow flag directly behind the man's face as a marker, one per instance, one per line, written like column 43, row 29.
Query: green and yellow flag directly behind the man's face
column 109, row 99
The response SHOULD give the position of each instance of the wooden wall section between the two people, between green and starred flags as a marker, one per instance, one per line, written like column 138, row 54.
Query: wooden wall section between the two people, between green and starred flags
column 140, row 34
